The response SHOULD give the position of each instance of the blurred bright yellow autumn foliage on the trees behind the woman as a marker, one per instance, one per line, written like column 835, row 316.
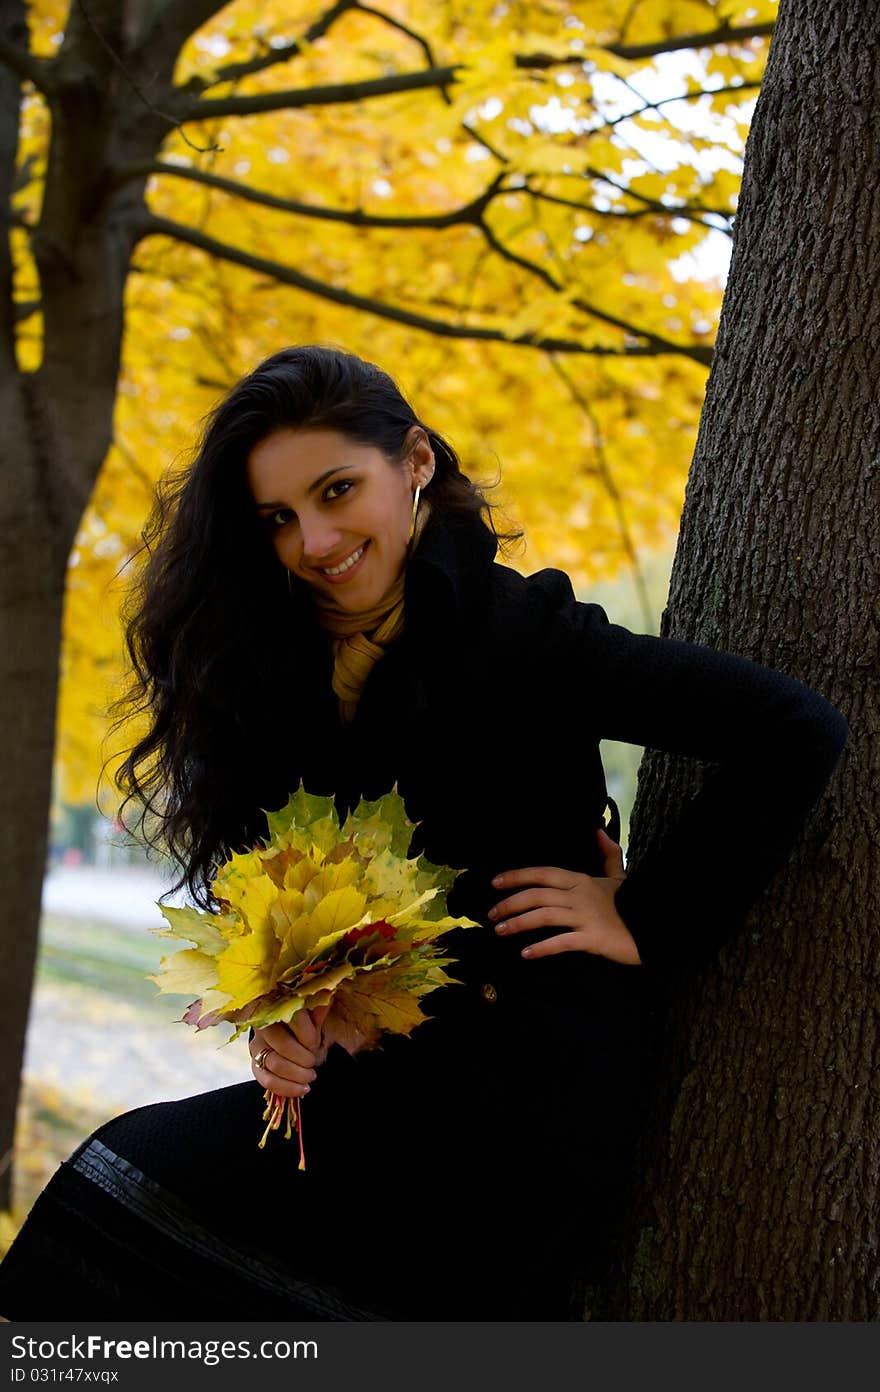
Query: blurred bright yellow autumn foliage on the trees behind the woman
column 583, row 243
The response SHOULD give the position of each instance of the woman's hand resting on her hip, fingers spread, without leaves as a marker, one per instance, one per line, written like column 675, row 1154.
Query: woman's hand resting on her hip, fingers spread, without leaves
column 583, row 904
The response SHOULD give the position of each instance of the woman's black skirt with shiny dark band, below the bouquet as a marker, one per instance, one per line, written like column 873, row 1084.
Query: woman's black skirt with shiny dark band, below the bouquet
column 470, row 1171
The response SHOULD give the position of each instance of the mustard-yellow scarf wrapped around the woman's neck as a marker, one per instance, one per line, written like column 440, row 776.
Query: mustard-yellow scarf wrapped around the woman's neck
column 360, row 640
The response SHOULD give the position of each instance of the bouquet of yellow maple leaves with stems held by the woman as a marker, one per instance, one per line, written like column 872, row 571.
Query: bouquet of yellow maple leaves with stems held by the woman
column 318, row 915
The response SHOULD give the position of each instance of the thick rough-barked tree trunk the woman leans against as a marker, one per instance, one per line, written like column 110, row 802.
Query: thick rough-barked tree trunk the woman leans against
column 758, row 1188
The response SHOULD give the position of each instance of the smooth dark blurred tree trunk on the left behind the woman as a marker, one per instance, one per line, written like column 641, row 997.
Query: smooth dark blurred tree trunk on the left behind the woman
column 59, row 425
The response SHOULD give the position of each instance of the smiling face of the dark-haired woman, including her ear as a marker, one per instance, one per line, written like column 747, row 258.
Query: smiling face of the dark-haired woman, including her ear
column 325, row 500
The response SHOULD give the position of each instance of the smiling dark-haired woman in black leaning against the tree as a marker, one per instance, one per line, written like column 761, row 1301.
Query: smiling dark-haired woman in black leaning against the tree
column 324, row 603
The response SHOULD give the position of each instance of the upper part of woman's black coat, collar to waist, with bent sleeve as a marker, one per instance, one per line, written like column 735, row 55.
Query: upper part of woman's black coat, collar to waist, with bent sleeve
column 489, row 712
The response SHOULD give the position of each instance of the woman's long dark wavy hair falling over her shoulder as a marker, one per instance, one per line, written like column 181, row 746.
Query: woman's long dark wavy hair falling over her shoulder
column 204, row 615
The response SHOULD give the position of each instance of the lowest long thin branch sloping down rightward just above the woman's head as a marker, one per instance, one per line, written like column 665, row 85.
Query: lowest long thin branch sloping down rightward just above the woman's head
column 151, row 226
